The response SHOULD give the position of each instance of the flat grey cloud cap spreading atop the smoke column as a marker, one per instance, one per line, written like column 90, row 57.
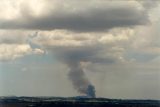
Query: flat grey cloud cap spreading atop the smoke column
column 83, row 54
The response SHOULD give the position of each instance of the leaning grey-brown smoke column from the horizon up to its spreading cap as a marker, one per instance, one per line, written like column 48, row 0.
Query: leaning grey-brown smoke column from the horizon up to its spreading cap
column 79, row 80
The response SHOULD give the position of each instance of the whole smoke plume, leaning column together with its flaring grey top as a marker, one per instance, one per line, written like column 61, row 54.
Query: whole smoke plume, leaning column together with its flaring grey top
column 72, row 57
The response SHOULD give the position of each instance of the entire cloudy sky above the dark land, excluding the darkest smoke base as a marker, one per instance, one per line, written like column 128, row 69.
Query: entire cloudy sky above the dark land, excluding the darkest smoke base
column 111, row 44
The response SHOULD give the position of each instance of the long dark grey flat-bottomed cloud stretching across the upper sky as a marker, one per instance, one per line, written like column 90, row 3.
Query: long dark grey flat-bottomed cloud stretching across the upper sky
column 94, row 19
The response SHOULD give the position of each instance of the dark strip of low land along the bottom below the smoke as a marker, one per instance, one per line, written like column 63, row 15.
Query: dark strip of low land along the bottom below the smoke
column 74, row 102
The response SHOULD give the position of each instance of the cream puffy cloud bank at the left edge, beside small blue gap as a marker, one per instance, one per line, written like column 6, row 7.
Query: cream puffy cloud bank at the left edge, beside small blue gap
column 14, row 44
